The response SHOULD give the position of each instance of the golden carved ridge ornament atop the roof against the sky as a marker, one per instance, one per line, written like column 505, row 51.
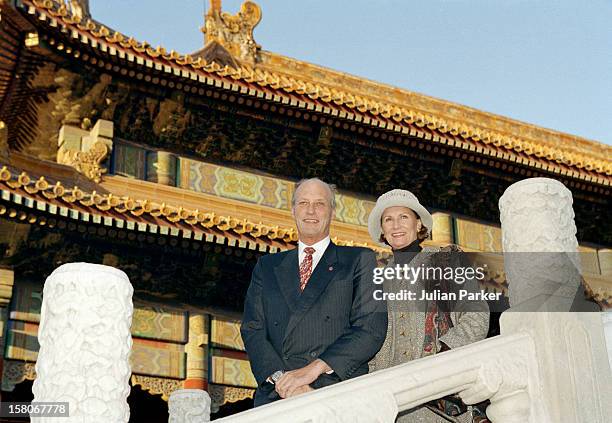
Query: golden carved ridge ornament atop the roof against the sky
column 233, row 32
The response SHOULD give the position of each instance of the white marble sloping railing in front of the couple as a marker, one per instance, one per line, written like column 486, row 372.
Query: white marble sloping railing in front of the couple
column 545, row 367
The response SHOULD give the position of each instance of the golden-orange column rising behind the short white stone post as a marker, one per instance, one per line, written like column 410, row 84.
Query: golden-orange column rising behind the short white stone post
column 196, row 352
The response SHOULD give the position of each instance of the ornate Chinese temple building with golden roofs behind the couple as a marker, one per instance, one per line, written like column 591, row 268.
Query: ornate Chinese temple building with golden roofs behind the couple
column 179, row 169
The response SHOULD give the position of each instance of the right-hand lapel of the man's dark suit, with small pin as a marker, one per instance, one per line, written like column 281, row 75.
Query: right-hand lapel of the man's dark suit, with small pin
column 320, row 278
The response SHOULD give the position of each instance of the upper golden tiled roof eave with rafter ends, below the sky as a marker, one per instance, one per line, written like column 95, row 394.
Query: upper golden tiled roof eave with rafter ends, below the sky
column 487, row 134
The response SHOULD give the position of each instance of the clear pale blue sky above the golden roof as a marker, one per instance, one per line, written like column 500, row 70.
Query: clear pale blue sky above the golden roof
column 544, row 62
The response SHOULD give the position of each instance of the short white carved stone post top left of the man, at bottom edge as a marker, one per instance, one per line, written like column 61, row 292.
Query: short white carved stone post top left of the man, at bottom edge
column 189, row 406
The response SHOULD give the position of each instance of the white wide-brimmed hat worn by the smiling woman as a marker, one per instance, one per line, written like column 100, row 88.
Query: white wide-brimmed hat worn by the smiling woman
column 393, row 198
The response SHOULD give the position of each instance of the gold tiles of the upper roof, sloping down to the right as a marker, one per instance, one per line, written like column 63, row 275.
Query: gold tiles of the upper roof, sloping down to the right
column 322, row 84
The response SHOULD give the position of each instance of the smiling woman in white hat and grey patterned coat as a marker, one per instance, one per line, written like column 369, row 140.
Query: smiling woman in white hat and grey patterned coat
column 418, row 328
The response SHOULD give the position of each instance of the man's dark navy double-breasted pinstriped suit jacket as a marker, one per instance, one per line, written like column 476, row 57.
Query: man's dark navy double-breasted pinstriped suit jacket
column 335, row 318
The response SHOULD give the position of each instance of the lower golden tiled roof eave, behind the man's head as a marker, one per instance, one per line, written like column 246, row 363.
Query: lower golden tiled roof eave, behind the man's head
column 47, row 195
